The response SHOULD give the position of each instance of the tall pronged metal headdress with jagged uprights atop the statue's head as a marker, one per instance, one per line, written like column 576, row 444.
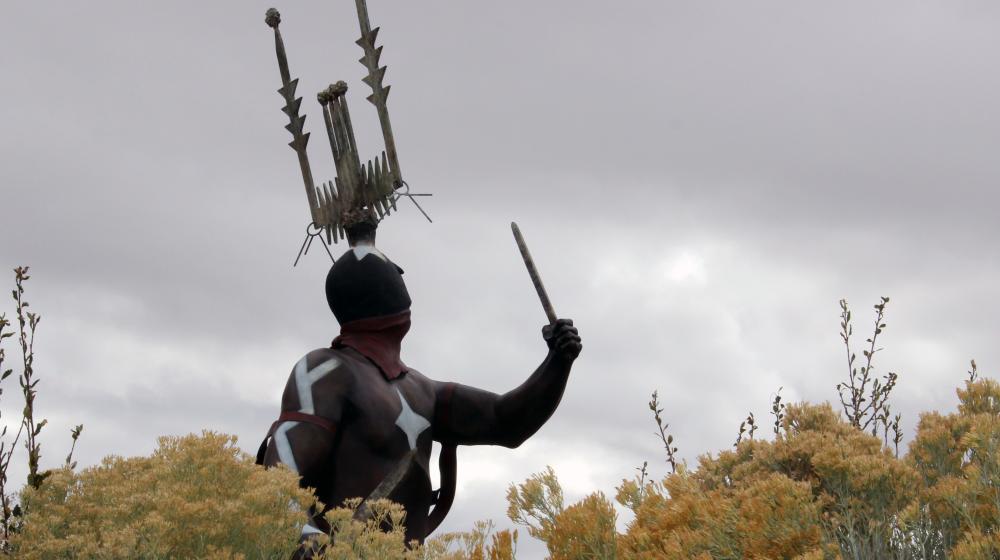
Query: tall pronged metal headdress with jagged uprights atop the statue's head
column 361, row 194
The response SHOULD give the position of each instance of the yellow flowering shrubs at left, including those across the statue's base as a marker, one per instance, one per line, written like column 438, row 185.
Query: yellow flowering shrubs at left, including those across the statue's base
column 202, row 497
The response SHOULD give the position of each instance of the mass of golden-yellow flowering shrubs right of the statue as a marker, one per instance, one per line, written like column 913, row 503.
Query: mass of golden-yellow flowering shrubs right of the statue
column 821, row 489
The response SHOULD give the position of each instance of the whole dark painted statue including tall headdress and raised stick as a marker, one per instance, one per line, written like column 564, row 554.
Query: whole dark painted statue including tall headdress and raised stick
column 356, row 421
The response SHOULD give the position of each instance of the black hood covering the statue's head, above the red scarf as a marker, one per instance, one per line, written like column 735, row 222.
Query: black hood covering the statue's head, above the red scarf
column 364, row 283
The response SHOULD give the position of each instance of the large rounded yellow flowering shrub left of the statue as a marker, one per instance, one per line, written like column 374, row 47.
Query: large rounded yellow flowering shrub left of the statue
column 194, row 497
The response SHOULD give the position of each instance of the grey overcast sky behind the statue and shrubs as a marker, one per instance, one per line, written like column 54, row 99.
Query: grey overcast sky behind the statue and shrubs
column 699, row 182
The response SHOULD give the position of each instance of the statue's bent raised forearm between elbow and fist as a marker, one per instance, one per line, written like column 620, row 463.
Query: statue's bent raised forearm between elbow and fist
column 522, row 411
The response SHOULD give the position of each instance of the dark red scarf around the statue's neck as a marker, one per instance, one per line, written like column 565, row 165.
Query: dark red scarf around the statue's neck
column 379, row 340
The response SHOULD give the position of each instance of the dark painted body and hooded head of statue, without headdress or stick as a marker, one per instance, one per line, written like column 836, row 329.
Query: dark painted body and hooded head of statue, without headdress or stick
column 355, row 417
